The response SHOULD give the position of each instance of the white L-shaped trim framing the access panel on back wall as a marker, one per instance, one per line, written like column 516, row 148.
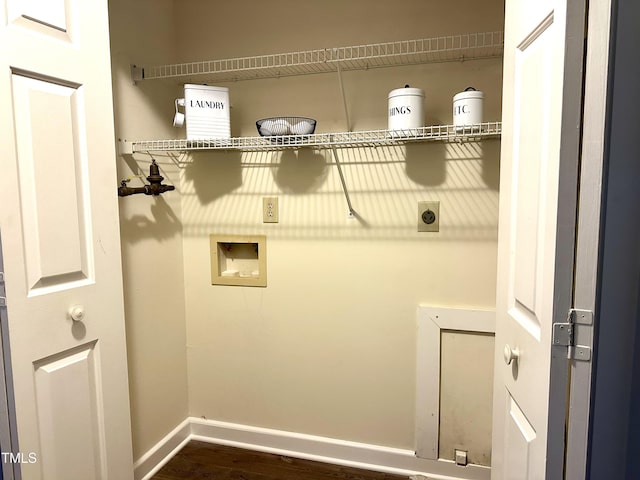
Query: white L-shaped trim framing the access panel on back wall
column 431, row 320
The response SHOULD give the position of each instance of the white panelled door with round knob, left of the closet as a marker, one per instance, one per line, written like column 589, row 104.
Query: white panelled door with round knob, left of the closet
column 60, row 236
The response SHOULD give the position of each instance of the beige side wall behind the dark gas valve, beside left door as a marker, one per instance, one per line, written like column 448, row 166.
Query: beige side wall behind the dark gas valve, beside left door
column 151, row 228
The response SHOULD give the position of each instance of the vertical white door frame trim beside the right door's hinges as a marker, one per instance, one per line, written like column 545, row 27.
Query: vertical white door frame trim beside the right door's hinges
column 588, row 229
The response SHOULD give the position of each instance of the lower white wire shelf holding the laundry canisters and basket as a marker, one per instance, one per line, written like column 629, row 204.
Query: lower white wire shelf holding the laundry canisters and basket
column 369, row 138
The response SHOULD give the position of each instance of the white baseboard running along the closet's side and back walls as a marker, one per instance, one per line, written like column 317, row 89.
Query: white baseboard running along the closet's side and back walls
column 310, row 447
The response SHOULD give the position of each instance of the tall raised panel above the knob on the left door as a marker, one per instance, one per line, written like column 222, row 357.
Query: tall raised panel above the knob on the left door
column 51, row 217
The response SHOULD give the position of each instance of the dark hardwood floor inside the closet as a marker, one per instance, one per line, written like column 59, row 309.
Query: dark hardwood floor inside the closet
column 206, row 461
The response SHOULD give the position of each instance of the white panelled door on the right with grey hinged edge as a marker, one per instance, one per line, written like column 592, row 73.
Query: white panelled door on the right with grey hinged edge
column 538, row 191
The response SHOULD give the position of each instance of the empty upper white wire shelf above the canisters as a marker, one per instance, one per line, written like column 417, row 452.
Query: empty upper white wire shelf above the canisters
column 360, row 57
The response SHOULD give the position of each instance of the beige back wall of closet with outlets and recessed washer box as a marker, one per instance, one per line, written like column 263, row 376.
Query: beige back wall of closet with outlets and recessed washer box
column 328, row 347
